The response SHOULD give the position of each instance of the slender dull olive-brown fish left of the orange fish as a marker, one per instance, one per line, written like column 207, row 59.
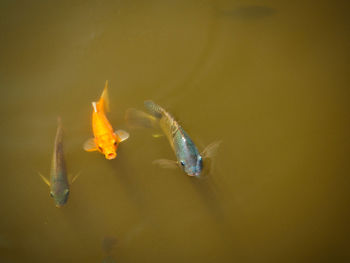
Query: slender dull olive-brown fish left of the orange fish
column 58, row 183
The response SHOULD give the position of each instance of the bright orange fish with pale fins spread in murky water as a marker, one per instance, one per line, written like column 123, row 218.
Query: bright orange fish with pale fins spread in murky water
column 105, row 139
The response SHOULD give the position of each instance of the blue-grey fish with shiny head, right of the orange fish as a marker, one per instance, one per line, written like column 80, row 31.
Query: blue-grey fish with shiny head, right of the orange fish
column 186, row 152
